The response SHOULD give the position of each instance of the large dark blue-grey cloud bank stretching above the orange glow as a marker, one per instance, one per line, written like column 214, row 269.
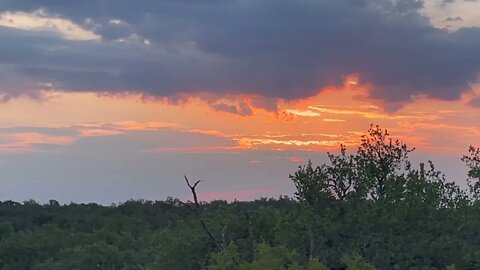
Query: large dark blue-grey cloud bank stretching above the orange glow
column 274, row 48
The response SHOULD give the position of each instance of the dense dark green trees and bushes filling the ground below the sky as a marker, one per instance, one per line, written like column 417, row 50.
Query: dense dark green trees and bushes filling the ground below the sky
column 367, row 210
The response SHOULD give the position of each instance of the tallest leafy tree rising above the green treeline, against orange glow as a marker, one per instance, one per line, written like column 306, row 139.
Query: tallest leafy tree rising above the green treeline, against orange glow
column 379, row 165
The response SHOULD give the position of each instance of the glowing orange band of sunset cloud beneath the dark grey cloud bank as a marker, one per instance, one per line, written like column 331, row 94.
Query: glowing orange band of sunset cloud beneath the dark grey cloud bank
column 320, row 123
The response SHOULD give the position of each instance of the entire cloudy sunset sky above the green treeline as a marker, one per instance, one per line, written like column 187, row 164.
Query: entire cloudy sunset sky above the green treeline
column 109, row 100
